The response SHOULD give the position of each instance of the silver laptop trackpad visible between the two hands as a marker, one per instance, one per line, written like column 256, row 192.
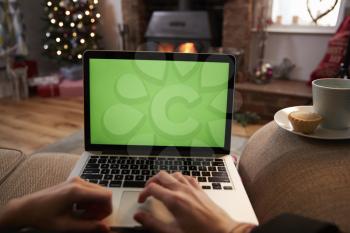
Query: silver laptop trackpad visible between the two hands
column 127, row 208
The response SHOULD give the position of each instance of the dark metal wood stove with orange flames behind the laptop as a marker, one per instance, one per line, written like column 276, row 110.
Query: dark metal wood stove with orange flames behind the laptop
column 179, row 31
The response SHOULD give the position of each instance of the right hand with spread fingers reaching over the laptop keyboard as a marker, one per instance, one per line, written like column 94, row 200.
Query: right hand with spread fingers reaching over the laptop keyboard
column 192, row 208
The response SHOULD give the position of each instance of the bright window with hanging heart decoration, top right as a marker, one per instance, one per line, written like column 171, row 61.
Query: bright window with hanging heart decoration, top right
column 295, row 15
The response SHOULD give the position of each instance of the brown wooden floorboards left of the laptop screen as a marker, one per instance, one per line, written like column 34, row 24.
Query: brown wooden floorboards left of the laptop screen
column 31, row 124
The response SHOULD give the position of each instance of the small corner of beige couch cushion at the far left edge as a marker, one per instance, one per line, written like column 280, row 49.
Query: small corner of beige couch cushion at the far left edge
column 9, row 160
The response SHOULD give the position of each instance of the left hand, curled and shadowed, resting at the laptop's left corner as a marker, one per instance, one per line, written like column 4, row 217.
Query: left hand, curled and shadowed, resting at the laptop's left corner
column 52, row 209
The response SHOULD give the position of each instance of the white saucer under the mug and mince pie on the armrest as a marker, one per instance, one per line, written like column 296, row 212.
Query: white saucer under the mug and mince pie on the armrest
column 281, row 118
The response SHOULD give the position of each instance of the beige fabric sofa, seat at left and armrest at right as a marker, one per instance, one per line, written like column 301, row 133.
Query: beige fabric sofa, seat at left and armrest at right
column 281, row 172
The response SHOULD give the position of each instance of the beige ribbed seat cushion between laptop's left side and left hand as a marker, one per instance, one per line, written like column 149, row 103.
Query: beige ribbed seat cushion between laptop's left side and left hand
column 39, row 171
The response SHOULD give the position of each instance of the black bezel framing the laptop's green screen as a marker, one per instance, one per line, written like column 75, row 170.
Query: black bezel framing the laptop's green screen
column 157, row 150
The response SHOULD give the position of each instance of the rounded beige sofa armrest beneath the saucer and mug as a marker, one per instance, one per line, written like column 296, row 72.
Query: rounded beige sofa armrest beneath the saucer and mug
column 283, row 172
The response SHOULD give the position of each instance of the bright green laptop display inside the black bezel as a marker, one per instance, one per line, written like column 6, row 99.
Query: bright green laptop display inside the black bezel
column 158, row 103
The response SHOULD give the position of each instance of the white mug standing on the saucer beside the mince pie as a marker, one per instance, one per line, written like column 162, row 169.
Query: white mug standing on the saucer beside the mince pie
column 331, row 99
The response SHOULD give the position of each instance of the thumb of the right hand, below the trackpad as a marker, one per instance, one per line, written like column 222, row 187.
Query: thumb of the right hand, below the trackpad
column 149, row 222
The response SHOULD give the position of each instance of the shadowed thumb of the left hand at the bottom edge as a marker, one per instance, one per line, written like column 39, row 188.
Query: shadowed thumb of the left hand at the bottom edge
column 81, row 225
